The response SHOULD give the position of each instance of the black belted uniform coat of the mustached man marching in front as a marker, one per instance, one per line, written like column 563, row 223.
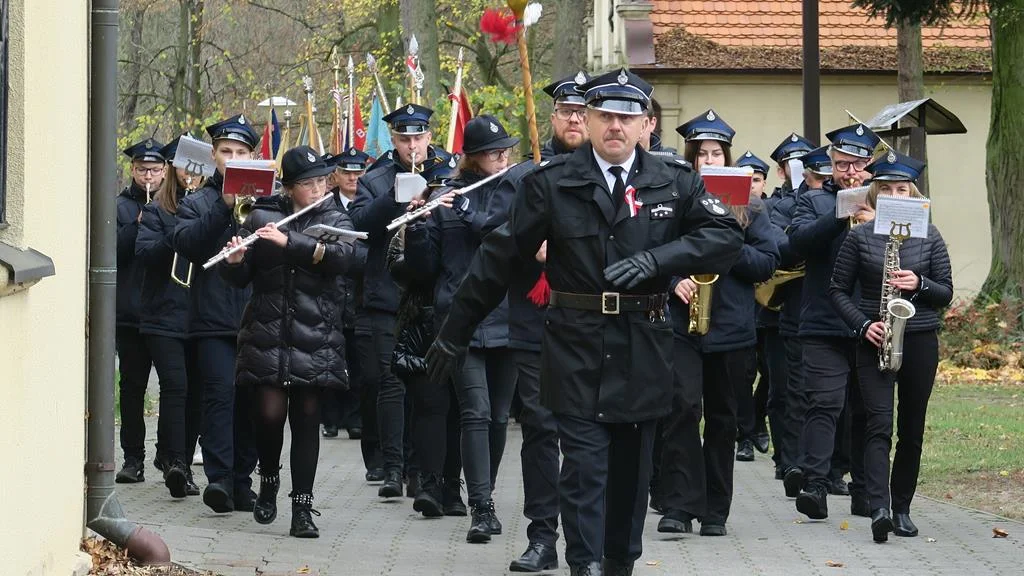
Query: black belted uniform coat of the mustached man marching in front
column 616, row 368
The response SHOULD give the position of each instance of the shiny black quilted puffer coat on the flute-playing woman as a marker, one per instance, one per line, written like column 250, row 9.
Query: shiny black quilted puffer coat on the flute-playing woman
column 291, row 333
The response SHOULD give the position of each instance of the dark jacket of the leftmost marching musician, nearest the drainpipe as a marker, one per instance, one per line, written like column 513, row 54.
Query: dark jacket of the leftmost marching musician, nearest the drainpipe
column 130, row 283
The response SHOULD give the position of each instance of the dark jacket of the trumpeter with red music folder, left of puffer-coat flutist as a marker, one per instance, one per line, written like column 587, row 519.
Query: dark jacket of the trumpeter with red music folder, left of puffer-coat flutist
column 205, row 226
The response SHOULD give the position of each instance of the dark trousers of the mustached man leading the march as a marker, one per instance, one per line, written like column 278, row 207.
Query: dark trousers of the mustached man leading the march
column 604, row 488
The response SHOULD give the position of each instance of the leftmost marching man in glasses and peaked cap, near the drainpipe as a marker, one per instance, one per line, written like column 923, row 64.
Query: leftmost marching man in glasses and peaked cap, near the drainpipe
column 135, row 362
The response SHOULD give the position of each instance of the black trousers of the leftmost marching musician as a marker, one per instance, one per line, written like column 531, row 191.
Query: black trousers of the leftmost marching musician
column 135, row 364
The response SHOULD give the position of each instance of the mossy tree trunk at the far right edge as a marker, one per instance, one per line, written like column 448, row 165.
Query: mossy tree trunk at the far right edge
column 1005, row 152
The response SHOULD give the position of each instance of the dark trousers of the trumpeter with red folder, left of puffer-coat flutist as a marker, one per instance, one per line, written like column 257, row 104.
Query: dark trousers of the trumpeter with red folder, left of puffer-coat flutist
column 229, row 448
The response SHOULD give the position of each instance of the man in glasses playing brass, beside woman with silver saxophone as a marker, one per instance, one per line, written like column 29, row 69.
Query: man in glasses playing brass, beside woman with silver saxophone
column 829, row 345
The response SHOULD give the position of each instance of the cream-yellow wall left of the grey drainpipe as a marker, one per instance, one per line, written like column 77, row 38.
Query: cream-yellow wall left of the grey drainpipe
column 42, row 330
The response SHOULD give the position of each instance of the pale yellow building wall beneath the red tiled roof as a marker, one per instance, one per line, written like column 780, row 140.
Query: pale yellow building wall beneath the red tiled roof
column 764, row 109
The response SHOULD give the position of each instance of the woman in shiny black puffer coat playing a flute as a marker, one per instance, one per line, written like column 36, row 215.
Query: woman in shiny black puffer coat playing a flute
column 290, row 343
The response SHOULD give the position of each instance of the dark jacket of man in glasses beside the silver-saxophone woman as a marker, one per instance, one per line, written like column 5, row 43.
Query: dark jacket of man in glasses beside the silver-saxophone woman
column 817, row 234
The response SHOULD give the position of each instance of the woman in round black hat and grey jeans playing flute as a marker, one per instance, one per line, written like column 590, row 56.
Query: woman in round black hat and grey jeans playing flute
column 444, row 248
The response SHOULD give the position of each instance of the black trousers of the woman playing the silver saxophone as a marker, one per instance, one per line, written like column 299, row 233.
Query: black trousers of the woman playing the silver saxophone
column 914, row 388
